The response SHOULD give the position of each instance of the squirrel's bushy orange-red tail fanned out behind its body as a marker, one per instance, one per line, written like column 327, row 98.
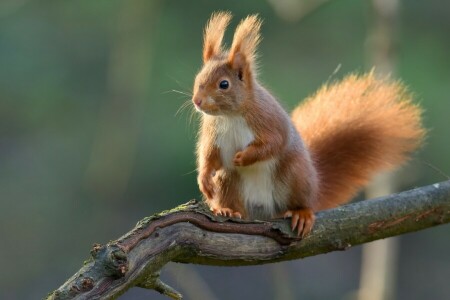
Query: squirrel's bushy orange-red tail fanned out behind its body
column 356, row 128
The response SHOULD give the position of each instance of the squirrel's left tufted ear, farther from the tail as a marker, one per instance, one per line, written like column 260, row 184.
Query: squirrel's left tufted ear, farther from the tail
column 214, row 31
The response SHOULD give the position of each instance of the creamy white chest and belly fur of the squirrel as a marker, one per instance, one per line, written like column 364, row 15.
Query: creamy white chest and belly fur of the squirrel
column 256, row 181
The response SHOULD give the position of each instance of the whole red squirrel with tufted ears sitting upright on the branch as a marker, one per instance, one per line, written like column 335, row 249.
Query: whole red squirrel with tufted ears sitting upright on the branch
column 257, row 162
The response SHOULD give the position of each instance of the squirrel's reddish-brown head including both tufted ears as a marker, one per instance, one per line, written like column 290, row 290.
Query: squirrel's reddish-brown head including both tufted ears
column 226, row 79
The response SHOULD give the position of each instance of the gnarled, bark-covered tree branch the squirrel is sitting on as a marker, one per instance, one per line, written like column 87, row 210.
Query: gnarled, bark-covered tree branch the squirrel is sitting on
column 190, row 234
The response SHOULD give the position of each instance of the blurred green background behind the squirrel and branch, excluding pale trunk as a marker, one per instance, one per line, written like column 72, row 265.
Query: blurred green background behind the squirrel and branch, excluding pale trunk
column 91, row 142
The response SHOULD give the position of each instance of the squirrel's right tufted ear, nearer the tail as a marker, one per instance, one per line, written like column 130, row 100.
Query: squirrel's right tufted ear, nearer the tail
column 242, row 55
